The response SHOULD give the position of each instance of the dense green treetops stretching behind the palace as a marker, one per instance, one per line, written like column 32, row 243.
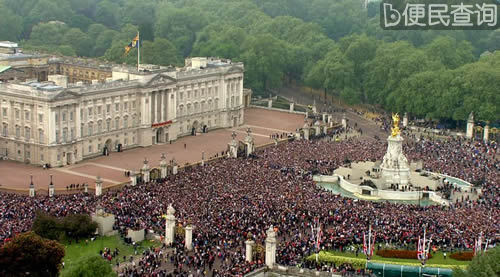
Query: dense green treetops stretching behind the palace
column 337, row 46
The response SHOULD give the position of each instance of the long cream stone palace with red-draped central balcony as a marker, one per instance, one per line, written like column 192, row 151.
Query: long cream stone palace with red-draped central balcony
column 59, row 123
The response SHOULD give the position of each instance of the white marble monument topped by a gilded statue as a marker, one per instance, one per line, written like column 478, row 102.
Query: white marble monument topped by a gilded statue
column 395, row 167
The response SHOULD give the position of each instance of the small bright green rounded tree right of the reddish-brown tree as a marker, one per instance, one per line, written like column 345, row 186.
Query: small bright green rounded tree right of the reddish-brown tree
column 90, row 266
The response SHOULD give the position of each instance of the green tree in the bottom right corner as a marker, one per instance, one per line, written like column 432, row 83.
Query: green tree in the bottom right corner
column 483, row 265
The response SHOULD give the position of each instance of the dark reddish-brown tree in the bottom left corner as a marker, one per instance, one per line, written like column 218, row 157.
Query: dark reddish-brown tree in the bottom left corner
column 32, row 254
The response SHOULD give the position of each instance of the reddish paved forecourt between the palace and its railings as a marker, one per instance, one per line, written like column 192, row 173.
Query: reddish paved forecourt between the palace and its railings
column 263, row 123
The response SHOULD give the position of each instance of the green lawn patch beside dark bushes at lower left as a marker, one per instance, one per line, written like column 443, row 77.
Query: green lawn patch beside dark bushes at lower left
column 75, row 251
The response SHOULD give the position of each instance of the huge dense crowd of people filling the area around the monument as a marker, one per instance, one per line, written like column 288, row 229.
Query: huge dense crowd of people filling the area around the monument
column 231, row 200
